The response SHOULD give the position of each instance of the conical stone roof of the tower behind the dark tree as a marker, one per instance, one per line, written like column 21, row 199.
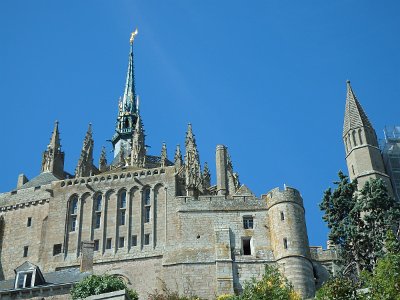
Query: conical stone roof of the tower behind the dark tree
column 354, row 116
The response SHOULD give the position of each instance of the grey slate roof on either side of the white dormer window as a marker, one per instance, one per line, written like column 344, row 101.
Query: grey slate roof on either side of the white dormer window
column 52, row 278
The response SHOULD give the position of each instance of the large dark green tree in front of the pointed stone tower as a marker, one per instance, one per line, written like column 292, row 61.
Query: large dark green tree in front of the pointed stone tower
column 359, row 220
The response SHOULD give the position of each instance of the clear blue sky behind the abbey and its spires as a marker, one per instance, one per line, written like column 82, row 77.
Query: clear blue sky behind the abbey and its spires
column 266, row 78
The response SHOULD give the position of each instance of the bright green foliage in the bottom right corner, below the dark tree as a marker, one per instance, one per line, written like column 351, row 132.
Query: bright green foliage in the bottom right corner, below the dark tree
column 384, row 282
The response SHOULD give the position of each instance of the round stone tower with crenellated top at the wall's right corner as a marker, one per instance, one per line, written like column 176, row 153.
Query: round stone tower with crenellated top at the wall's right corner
column 289, row 239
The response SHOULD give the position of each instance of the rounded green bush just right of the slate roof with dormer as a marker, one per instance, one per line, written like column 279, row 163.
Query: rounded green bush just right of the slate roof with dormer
column 95, row 285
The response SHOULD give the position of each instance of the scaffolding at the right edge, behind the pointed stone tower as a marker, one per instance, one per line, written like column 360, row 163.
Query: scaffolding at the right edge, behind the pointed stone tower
column 391, row 156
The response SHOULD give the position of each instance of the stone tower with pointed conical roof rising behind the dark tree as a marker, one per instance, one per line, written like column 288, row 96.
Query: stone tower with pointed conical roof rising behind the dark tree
column 363, row 156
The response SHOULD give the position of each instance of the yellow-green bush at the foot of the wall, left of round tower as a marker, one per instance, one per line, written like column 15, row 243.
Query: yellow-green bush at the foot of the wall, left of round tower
column 272, row 285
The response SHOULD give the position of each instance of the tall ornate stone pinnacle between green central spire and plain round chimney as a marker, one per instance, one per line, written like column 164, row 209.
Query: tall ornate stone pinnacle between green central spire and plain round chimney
column 192, row 163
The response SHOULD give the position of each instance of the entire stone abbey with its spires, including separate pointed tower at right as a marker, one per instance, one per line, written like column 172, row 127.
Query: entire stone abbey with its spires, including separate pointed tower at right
column 155, row 221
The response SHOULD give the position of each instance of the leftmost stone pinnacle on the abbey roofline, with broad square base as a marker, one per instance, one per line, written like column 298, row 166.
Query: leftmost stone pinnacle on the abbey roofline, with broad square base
column 53, row 157
